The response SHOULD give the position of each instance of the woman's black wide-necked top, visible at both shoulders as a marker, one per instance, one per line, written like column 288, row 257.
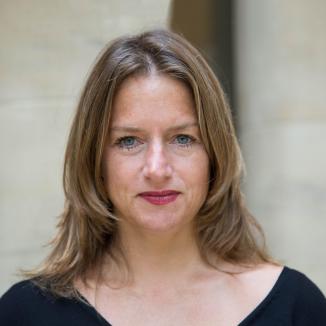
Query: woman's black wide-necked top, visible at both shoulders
column 294, row 300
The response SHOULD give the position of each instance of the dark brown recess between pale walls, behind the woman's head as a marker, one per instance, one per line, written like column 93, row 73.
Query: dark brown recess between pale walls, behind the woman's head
column 208, row 25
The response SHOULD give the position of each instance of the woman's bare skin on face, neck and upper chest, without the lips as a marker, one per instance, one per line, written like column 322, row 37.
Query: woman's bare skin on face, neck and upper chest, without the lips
column 171, row 284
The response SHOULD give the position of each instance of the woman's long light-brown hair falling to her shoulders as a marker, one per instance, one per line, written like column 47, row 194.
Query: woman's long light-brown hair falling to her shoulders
column 87, row 229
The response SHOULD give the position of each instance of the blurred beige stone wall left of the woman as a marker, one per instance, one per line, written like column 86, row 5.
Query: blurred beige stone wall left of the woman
column 46, row 50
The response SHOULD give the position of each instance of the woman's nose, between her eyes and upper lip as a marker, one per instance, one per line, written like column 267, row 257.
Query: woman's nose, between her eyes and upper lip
column 157, row 166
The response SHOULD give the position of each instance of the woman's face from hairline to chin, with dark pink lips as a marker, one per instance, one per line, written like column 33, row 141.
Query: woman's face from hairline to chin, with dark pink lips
column 155, row 167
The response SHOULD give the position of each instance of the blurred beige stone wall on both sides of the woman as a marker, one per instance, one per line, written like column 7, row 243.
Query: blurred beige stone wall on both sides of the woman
column 46, row 50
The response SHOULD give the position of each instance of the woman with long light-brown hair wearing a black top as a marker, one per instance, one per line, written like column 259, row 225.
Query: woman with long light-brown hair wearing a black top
column 155, row 230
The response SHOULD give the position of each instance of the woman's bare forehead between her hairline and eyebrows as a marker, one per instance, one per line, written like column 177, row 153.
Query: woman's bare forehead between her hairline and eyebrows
column 153, row 97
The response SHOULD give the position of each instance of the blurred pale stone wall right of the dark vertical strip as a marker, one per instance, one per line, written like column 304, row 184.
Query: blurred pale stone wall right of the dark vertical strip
column 281, row 101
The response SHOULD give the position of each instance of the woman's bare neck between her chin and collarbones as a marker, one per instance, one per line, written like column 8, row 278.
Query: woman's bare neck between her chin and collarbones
column 159, row 258
